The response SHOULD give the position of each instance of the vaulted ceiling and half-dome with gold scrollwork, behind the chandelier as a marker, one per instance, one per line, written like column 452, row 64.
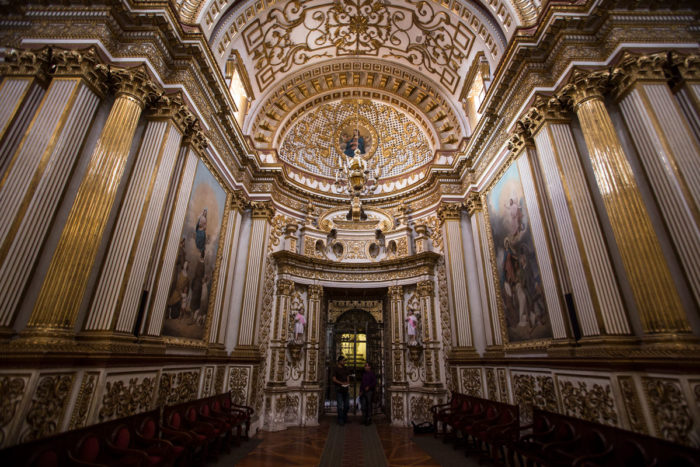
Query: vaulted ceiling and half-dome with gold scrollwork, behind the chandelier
column 402, row 66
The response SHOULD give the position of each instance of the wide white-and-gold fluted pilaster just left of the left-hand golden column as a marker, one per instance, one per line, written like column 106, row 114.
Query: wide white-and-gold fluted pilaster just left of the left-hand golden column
column 38, row 171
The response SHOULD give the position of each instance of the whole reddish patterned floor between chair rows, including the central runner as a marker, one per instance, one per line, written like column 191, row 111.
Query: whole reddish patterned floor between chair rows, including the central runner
column 331, row 445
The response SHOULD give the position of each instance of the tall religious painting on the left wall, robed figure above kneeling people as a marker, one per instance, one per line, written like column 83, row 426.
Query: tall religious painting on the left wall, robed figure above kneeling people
column 189, row 296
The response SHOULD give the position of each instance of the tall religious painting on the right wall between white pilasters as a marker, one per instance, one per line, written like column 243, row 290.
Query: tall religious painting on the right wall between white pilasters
column 519, row 279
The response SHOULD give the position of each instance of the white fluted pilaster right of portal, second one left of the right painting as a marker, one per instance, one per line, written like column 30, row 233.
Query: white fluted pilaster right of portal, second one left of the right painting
column 450, row 215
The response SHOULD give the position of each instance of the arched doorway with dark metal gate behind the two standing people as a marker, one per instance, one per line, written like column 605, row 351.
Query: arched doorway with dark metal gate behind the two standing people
column 357, row 336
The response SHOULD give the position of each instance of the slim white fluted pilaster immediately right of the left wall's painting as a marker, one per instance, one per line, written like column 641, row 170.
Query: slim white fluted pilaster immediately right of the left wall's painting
column 224, row 294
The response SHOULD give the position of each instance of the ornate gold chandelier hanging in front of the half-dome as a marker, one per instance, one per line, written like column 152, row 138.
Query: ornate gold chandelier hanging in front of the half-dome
column 353, row 177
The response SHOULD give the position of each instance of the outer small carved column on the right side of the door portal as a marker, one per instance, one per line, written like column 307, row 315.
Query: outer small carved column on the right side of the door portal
column 431, row 352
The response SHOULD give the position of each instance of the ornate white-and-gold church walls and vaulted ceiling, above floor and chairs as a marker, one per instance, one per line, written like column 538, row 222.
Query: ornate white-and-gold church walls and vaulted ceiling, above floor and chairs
column 497, row 199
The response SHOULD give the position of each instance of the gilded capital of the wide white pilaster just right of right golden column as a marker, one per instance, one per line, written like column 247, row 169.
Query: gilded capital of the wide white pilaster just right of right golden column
column 634, row 68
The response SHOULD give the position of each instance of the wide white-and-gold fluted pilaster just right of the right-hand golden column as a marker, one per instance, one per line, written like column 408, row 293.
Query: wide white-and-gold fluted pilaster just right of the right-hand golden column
column 668, row 151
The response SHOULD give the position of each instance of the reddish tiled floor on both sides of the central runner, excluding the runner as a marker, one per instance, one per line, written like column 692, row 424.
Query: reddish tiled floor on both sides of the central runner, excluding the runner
column 304, row 446
